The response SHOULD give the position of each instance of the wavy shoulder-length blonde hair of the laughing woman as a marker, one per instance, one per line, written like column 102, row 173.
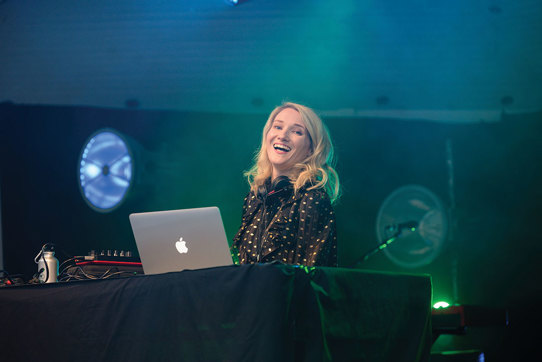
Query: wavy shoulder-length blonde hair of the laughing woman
column 317, row 169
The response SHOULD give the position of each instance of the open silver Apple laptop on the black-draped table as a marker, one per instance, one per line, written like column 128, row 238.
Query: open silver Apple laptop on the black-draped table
column 180, row 239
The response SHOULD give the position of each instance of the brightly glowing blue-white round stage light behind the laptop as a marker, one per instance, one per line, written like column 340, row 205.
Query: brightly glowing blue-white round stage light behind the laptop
column 105, row 170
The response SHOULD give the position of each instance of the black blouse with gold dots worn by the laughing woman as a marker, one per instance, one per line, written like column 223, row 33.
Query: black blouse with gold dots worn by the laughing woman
column 295, row 228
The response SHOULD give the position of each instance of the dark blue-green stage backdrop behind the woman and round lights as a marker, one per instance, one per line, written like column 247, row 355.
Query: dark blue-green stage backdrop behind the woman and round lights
column 186, row 160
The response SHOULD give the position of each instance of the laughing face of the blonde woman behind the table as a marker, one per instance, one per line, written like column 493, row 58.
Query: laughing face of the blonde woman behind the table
column 288, row 142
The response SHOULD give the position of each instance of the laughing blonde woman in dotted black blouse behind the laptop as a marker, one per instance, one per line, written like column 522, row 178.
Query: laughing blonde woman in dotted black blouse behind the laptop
column 287, row 215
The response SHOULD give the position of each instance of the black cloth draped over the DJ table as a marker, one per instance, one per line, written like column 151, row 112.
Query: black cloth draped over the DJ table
column 238, row 313
